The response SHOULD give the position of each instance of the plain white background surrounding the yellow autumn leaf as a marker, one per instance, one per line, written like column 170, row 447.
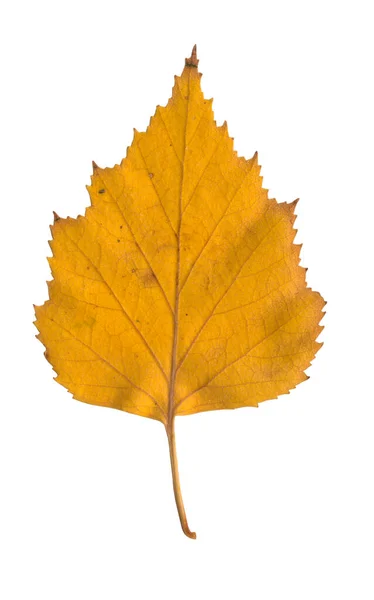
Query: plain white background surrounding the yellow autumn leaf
column 281, row 497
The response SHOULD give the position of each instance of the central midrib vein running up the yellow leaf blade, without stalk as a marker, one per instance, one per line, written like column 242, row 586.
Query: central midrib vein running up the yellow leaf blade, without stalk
column 177, row 291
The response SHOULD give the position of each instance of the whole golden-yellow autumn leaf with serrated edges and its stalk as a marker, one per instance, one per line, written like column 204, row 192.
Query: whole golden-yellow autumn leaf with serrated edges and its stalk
column 180, row 289
